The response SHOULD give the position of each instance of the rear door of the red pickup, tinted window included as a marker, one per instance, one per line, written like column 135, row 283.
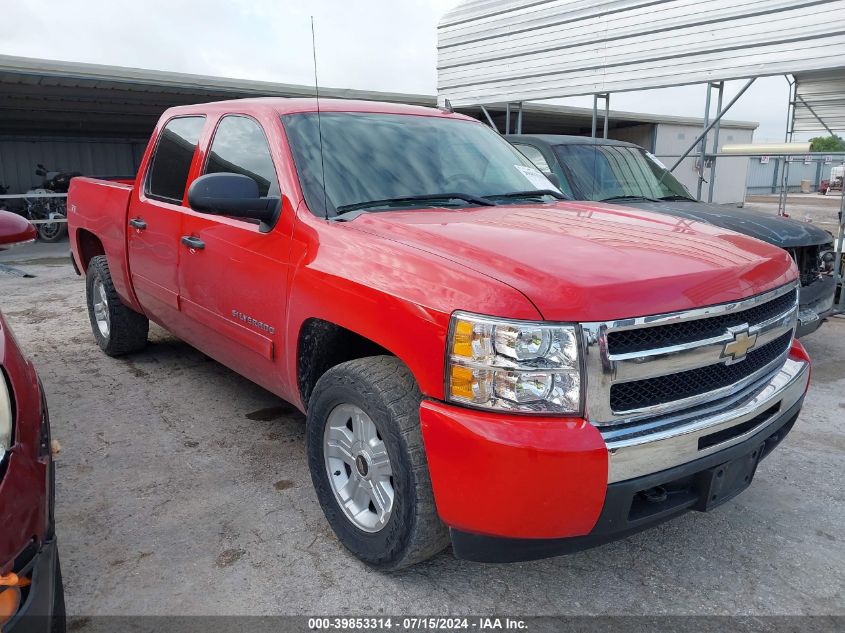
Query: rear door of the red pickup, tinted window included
column 155, row 219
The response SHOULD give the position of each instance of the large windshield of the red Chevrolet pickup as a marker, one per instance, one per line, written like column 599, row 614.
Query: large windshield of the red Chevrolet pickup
column 393, row 157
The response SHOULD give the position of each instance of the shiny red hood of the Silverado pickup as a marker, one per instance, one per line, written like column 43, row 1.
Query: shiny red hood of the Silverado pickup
column 589, row 261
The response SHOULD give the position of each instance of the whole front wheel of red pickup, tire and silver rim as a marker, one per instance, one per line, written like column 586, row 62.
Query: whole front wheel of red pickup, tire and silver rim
column 368, row 463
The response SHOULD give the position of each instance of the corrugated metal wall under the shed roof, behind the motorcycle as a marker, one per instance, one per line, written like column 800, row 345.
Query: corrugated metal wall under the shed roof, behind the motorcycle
column 18, row 158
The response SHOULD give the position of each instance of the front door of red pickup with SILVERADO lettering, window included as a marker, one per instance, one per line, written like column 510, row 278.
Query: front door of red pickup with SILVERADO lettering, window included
column 233, row 276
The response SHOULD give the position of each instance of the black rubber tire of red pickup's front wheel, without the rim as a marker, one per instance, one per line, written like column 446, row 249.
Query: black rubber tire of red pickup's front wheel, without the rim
column 383, row 387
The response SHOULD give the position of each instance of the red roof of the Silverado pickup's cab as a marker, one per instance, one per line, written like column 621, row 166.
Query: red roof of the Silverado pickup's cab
column 282, row 105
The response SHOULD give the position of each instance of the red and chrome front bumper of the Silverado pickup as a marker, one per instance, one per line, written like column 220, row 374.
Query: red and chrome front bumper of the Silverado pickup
column 518, row 488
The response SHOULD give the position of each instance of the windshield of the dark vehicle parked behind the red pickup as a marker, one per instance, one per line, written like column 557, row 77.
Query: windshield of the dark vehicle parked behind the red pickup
column 602, row 172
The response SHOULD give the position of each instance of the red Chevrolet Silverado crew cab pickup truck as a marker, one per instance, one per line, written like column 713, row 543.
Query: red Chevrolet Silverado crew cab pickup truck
column 480, row 360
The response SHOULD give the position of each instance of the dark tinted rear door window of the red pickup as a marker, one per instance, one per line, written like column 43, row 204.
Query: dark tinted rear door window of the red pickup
column 172, row 158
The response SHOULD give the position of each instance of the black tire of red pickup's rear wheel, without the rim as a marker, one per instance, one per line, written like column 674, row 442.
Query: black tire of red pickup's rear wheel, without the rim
column 128, row 330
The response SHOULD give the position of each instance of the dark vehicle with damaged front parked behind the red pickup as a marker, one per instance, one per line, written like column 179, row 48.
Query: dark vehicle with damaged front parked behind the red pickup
column 603, row 170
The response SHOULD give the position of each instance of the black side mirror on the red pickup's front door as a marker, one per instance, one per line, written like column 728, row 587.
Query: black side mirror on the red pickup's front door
column 234, row 195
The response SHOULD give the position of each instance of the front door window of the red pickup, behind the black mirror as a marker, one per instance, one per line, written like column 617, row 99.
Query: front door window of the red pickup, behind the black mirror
column 240, row 147
